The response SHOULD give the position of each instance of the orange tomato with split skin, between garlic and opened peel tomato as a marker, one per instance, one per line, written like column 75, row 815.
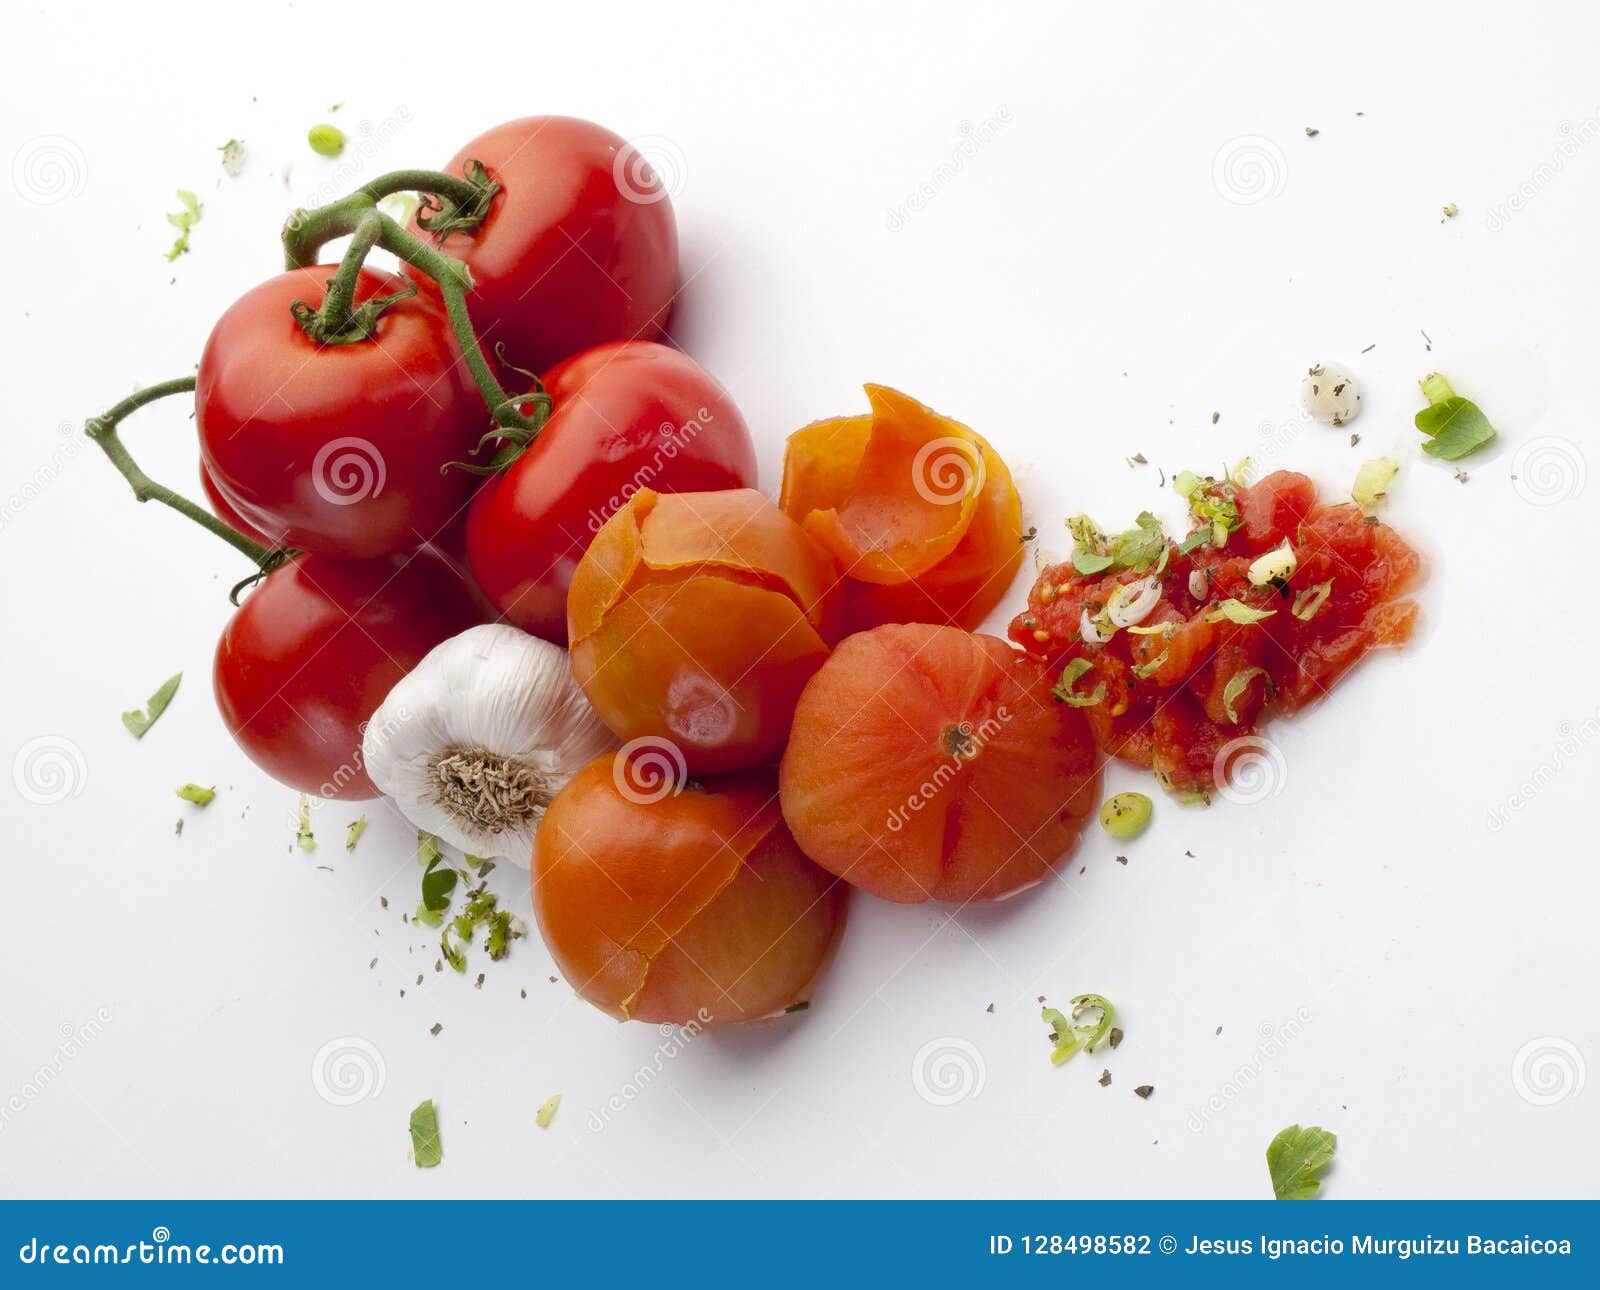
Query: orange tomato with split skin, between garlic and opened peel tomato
column 698, row 619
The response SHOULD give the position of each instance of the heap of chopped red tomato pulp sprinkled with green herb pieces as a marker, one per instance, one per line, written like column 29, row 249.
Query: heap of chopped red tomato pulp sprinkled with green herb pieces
column 1185, row 689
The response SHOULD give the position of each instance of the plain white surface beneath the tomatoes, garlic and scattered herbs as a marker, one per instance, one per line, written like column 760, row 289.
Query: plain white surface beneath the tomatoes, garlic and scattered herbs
column 1145, row 236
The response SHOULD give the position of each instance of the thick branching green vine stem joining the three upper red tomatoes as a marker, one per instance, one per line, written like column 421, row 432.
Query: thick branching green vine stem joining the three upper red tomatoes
column 306, row 233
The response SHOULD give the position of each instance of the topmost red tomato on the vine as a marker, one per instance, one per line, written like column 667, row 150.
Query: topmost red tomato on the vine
column 578, row 247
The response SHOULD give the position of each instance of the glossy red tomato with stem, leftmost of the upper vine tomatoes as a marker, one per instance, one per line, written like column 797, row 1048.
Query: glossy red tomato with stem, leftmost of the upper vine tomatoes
column 338, row 449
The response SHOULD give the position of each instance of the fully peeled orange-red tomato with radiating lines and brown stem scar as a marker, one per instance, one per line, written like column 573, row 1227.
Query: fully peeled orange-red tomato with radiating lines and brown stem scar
column 932, row 764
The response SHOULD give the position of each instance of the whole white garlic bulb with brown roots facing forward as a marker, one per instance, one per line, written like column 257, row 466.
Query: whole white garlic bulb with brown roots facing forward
column 476, row 742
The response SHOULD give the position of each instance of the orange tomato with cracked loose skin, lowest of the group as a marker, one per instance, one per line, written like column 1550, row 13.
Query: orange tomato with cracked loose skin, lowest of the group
column 681, row 903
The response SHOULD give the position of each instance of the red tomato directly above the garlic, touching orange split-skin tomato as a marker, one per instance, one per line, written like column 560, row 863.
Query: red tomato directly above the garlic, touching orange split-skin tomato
column 626, row 417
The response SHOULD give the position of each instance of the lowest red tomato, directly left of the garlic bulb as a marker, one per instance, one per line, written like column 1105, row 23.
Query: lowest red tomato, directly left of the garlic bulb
column 316, row 647
